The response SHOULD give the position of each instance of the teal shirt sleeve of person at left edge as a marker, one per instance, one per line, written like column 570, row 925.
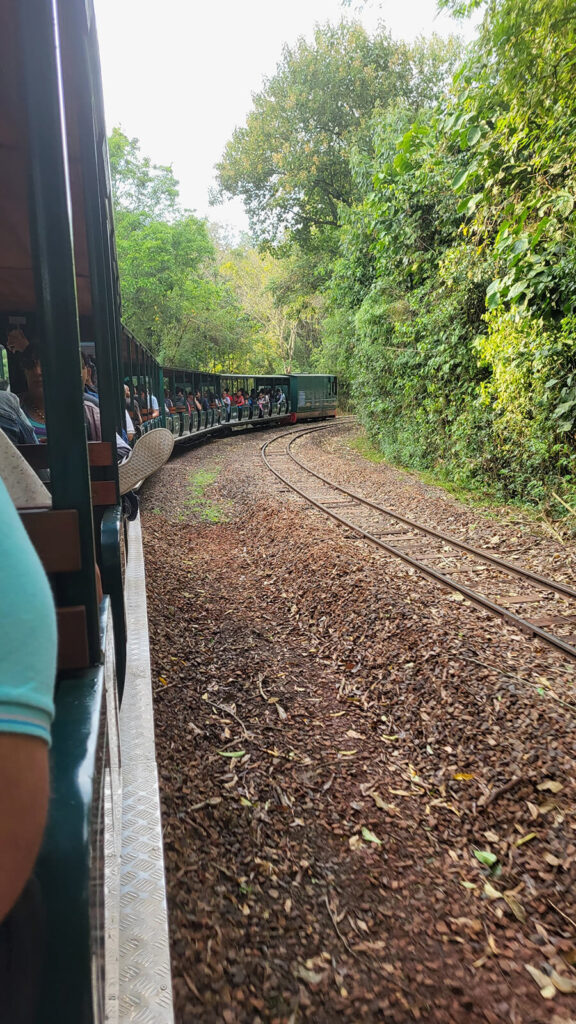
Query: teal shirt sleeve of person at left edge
column 28, row 631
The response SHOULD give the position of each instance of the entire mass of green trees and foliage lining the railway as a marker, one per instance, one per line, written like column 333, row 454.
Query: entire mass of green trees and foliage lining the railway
column 413, row 217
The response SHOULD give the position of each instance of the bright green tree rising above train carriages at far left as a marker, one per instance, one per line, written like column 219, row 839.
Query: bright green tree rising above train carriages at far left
column 174, row 296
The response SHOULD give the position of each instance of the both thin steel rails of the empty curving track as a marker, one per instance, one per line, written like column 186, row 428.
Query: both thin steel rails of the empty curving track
column 478, row 600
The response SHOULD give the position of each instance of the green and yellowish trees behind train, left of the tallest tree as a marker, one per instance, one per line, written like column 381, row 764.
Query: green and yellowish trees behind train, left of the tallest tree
column 193, row 297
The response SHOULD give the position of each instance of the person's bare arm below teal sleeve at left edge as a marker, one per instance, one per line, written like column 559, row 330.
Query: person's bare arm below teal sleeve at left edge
column 24, row 803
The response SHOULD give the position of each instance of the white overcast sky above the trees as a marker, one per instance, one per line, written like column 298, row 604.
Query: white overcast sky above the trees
column 180, row 74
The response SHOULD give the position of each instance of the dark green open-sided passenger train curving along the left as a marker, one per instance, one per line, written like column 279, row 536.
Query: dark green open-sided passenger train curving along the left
column 88, row 942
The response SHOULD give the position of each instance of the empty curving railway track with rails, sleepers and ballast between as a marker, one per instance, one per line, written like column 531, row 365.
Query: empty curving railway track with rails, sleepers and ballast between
column 537, row 606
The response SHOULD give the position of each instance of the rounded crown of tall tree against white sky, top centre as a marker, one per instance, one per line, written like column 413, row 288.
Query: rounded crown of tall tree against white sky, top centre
column 291, row 162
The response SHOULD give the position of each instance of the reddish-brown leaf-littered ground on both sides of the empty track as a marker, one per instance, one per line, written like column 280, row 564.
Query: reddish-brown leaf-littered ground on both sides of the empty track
column 368, row 786
